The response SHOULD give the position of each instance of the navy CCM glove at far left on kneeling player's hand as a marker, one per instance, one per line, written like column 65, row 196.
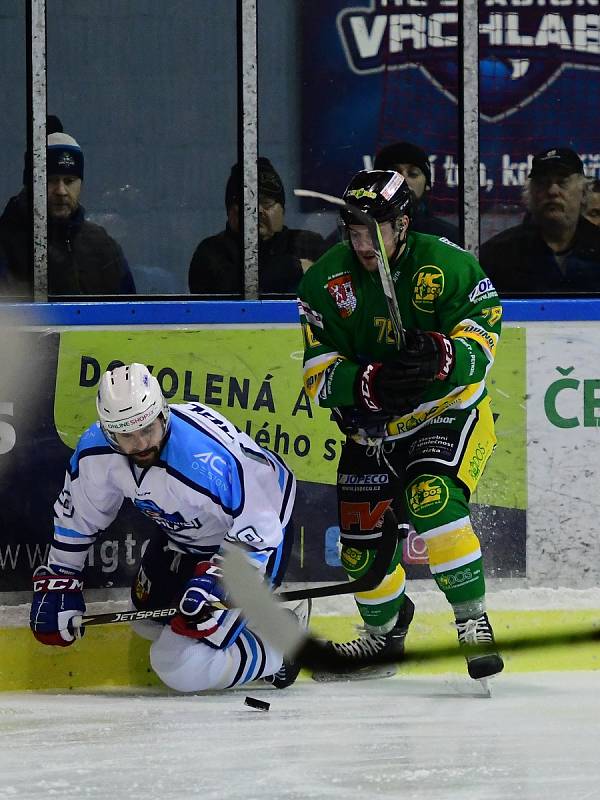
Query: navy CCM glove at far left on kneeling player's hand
column 57, row 599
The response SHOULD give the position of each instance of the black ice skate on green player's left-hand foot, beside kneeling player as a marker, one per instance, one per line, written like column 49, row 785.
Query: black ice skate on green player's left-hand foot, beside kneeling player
column 378, row 649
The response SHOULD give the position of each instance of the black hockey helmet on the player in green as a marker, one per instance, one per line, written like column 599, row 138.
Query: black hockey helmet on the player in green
column 383, row 194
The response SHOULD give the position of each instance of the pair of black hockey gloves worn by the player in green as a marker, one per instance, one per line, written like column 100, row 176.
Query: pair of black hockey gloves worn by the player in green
column 397, row 387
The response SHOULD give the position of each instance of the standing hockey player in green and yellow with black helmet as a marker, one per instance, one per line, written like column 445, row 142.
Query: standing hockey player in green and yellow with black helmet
column 417, row 419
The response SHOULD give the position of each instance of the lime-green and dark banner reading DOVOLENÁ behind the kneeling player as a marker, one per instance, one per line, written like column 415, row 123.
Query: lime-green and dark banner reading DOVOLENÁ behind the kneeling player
column 252, row 376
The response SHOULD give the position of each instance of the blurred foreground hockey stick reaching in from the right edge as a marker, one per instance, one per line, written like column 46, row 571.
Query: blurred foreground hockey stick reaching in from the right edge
column 268, row 618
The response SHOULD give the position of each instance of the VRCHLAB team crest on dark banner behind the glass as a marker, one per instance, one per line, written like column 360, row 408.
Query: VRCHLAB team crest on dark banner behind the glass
column 511, row 40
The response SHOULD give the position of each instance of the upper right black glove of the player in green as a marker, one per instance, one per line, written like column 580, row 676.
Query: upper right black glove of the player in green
column 428, row 355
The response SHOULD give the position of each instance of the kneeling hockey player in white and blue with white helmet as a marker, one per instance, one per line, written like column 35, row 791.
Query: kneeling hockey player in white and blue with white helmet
column 203, row 482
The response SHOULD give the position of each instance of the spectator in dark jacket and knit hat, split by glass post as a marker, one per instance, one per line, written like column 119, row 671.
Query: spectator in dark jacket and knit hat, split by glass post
column 217, row 266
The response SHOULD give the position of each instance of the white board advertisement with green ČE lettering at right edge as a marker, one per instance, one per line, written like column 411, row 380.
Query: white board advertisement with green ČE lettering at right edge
column 563, row 389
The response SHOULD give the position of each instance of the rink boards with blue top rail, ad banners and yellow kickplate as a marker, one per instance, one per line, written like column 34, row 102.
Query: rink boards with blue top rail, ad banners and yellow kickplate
column 535, row 510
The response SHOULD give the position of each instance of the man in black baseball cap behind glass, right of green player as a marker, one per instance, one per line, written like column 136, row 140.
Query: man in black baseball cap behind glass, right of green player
column 555, row 248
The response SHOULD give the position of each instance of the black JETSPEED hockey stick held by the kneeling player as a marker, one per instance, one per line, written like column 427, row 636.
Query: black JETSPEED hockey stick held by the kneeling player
column 365, row 583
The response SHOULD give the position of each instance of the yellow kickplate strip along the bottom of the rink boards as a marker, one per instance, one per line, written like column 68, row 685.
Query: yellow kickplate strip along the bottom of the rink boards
column 113, row 656
